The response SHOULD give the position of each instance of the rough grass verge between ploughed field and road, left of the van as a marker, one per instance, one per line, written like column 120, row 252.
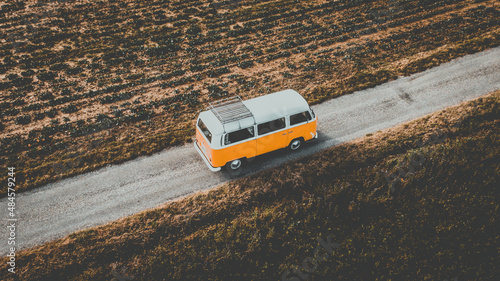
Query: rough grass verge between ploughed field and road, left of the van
column 101, row 152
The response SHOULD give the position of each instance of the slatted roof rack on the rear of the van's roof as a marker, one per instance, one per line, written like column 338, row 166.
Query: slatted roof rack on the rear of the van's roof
column 230, row 110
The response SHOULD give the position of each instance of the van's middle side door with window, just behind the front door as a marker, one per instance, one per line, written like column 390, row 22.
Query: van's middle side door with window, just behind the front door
column 271, row 136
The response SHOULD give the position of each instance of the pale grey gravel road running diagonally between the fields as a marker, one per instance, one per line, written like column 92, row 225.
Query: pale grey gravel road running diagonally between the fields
column 99, row 197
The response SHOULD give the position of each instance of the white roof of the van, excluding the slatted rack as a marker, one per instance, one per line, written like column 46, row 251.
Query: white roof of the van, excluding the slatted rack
column 265, row 108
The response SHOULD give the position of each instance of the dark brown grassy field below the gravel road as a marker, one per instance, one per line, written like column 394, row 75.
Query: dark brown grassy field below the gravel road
column 438, row 222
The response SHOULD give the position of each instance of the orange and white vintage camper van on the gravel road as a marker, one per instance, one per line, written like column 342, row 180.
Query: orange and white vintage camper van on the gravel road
column 232, row 130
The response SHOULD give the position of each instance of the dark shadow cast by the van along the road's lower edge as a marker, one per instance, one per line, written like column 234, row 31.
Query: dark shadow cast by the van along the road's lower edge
column 278, row 157
